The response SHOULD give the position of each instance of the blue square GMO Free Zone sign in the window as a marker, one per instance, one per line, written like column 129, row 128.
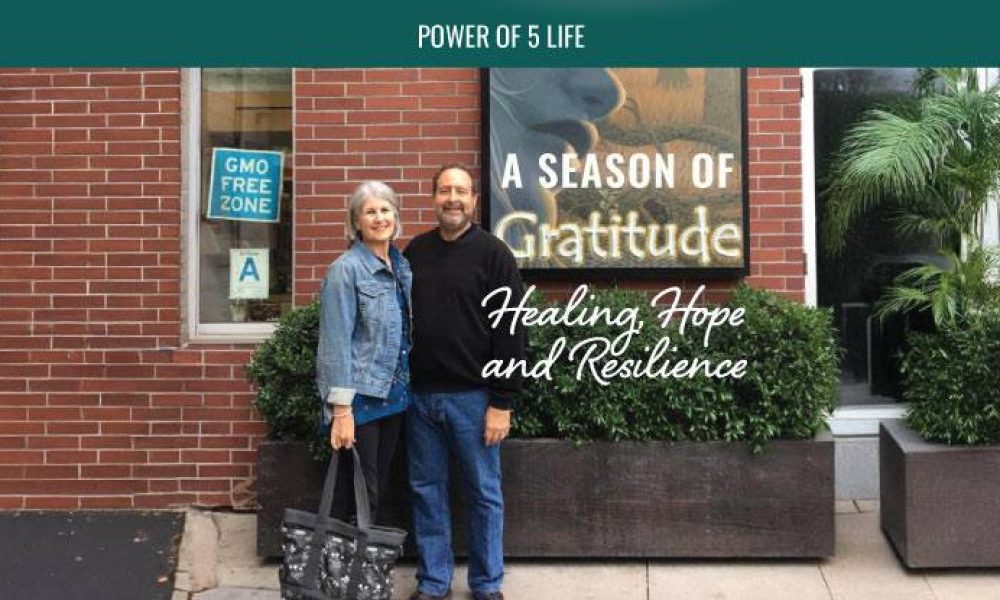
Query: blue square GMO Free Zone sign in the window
column 245, row 185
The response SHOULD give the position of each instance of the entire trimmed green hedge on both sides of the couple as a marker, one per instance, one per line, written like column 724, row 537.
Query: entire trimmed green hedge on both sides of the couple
column 788, row 389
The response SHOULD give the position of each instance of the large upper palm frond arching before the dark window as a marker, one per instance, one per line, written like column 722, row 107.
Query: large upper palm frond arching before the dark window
column 946, row 151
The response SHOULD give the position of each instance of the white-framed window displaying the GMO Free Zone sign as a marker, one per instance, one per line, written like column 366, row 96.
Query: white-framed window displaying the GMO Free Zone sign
column 239, row 210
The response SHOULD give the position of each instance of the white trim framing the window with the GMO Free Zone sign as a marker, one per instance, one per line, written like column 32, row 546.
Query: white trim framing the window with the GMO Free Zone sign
column 196, row 331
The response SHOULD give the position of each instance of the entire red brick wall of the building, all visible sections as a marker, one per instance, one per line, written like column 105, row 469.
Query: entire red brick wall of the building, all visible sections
column 102, row 404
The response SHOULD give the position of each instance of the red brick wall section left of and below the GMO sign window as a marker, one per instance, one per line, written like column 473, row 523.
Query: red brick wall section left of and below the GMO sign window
column 100, row 406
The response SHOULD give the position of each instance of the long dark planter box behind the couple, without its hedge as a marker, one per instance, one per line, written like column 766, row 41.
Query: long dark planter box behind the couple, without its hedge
column 631, row 499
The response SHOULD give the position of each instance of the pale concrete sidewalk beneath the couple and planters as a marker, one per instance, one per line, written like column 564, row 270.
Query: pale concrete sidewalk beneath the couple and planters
column 217, row 562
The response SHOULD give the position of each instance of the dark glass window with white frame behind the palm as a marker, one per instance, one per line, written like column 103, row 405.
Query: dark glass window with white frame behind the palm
column 832, row 99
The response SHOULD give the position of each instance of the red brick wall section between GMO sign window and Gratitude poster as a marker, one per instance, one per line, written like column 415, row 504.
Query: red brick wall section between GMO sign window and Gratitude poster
column 394, row 125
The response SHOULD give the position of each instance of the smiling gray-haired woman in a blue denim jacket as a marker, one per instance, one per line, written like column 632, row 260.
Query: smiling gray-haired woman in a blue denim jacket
column 362, row 362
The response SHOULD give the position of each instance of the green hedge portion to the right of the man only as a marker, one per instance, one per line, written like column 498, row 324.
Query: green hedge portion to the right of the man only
column 789, row 388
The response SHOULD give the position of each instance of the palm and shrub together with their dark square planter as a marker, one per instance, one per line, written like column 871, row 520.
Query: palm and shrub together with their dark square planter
column 938, row 162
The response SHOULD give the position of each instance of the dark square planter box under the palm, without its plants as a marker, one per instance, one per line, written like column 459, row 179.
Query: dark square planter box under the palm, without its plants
column 940, row 504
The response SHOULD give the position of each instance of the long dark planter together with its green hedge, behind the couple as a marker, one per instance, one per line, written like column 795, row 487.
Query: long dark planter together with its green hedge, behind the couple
column 638, row 467
